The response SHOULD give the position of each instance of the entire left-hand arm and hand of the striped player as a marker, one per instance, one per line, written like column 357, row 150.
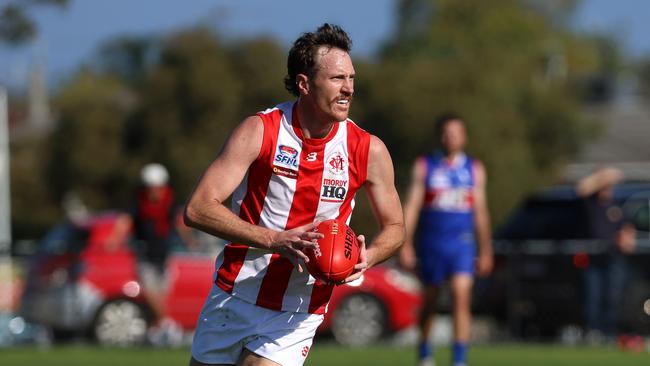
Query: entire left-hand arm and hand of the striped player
column 205, row 209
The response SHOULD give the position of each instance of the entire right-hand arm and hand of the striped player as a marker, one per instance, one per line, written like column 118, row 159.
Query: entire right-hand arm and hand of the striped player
column 384, row 200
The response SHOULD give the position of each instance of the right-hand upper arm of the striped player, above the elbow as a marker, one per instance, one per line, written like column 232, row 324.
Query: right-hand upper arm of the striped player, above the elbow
column 380, row 185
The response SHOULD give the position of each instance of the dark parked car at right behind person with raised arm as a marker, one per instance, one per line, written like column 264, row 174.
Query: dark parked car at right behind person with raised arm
column 541, row 251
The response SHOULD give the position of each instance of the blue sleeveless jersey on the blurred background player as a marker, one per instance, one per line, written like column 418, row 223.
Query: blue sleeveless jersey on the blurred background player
column 447, row 213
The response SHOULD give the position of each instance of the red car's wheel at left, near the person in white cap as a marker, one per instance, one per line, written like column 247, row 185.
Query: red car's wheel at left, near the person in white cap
column 120, row 323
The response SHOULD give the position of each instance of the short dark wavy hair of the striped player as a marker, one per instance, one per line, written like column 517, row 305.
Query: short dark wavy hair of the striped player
column 302, row 56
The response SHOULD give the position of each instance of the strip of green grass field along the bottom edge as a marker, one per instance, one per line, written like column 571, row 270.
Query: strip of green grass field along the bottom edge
column 325, row 355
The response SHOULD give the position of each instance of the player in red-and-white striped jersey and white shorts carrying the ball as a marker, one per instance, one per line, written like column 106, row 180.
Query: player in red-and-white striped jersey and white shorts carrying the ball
column 286, row 167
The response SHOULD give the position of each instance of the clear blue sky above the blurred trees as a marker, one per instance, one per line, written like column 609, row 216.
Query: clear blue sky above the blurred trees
column 69, row 37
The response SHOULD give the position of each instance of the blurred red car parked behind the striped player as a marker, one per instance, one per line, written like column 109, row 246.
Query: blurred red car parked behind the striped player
column 84, row 278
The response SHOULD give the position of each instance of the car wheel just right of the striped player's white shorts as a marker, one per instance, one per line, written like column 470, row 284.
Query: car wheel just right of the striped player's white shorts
column 360, row 319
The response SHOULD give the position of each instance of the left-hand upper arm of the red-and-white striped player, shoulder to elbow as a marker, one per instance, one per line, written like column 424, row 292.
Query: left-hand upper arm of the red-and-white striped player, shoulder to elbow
column 229, row 168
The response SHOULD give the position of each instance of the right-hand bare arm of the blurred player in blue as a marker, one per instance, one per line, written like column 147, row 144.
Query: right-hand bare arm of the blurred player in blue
column 482, row 222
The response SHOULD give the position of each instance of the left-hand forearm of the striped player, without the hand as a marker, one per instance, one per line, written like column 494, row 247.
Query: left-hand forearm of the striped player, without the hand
column 216, row 219
